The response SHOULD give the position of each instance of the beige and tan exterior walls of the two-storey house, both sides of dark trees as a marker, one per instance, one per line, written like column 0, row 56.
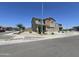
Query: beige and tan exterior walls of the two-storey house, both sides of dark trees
column 51, row 25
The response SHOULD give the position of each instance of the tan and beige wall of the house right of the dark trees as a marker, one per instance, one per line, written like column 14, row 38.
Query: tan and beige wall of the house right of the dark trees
column 51, row 26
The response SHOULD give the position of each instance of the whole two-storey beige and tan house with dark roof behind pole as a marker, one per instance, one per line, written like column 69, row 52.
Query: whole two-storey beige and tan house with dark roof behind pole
column 49, row 24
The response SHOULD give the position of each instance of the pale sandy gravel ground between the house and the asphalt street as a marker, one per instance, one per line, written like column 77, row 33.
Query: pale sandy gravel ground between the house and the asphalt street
column 9, row 38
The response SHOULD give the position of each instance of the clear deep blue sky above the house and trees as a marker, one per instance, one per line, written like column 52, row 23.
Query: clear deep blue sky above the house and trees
column 13, row 13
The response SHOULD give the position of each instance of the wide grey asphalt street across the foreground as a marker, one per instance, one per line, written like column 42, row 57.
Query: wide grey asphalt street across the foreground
column 61, row 47
